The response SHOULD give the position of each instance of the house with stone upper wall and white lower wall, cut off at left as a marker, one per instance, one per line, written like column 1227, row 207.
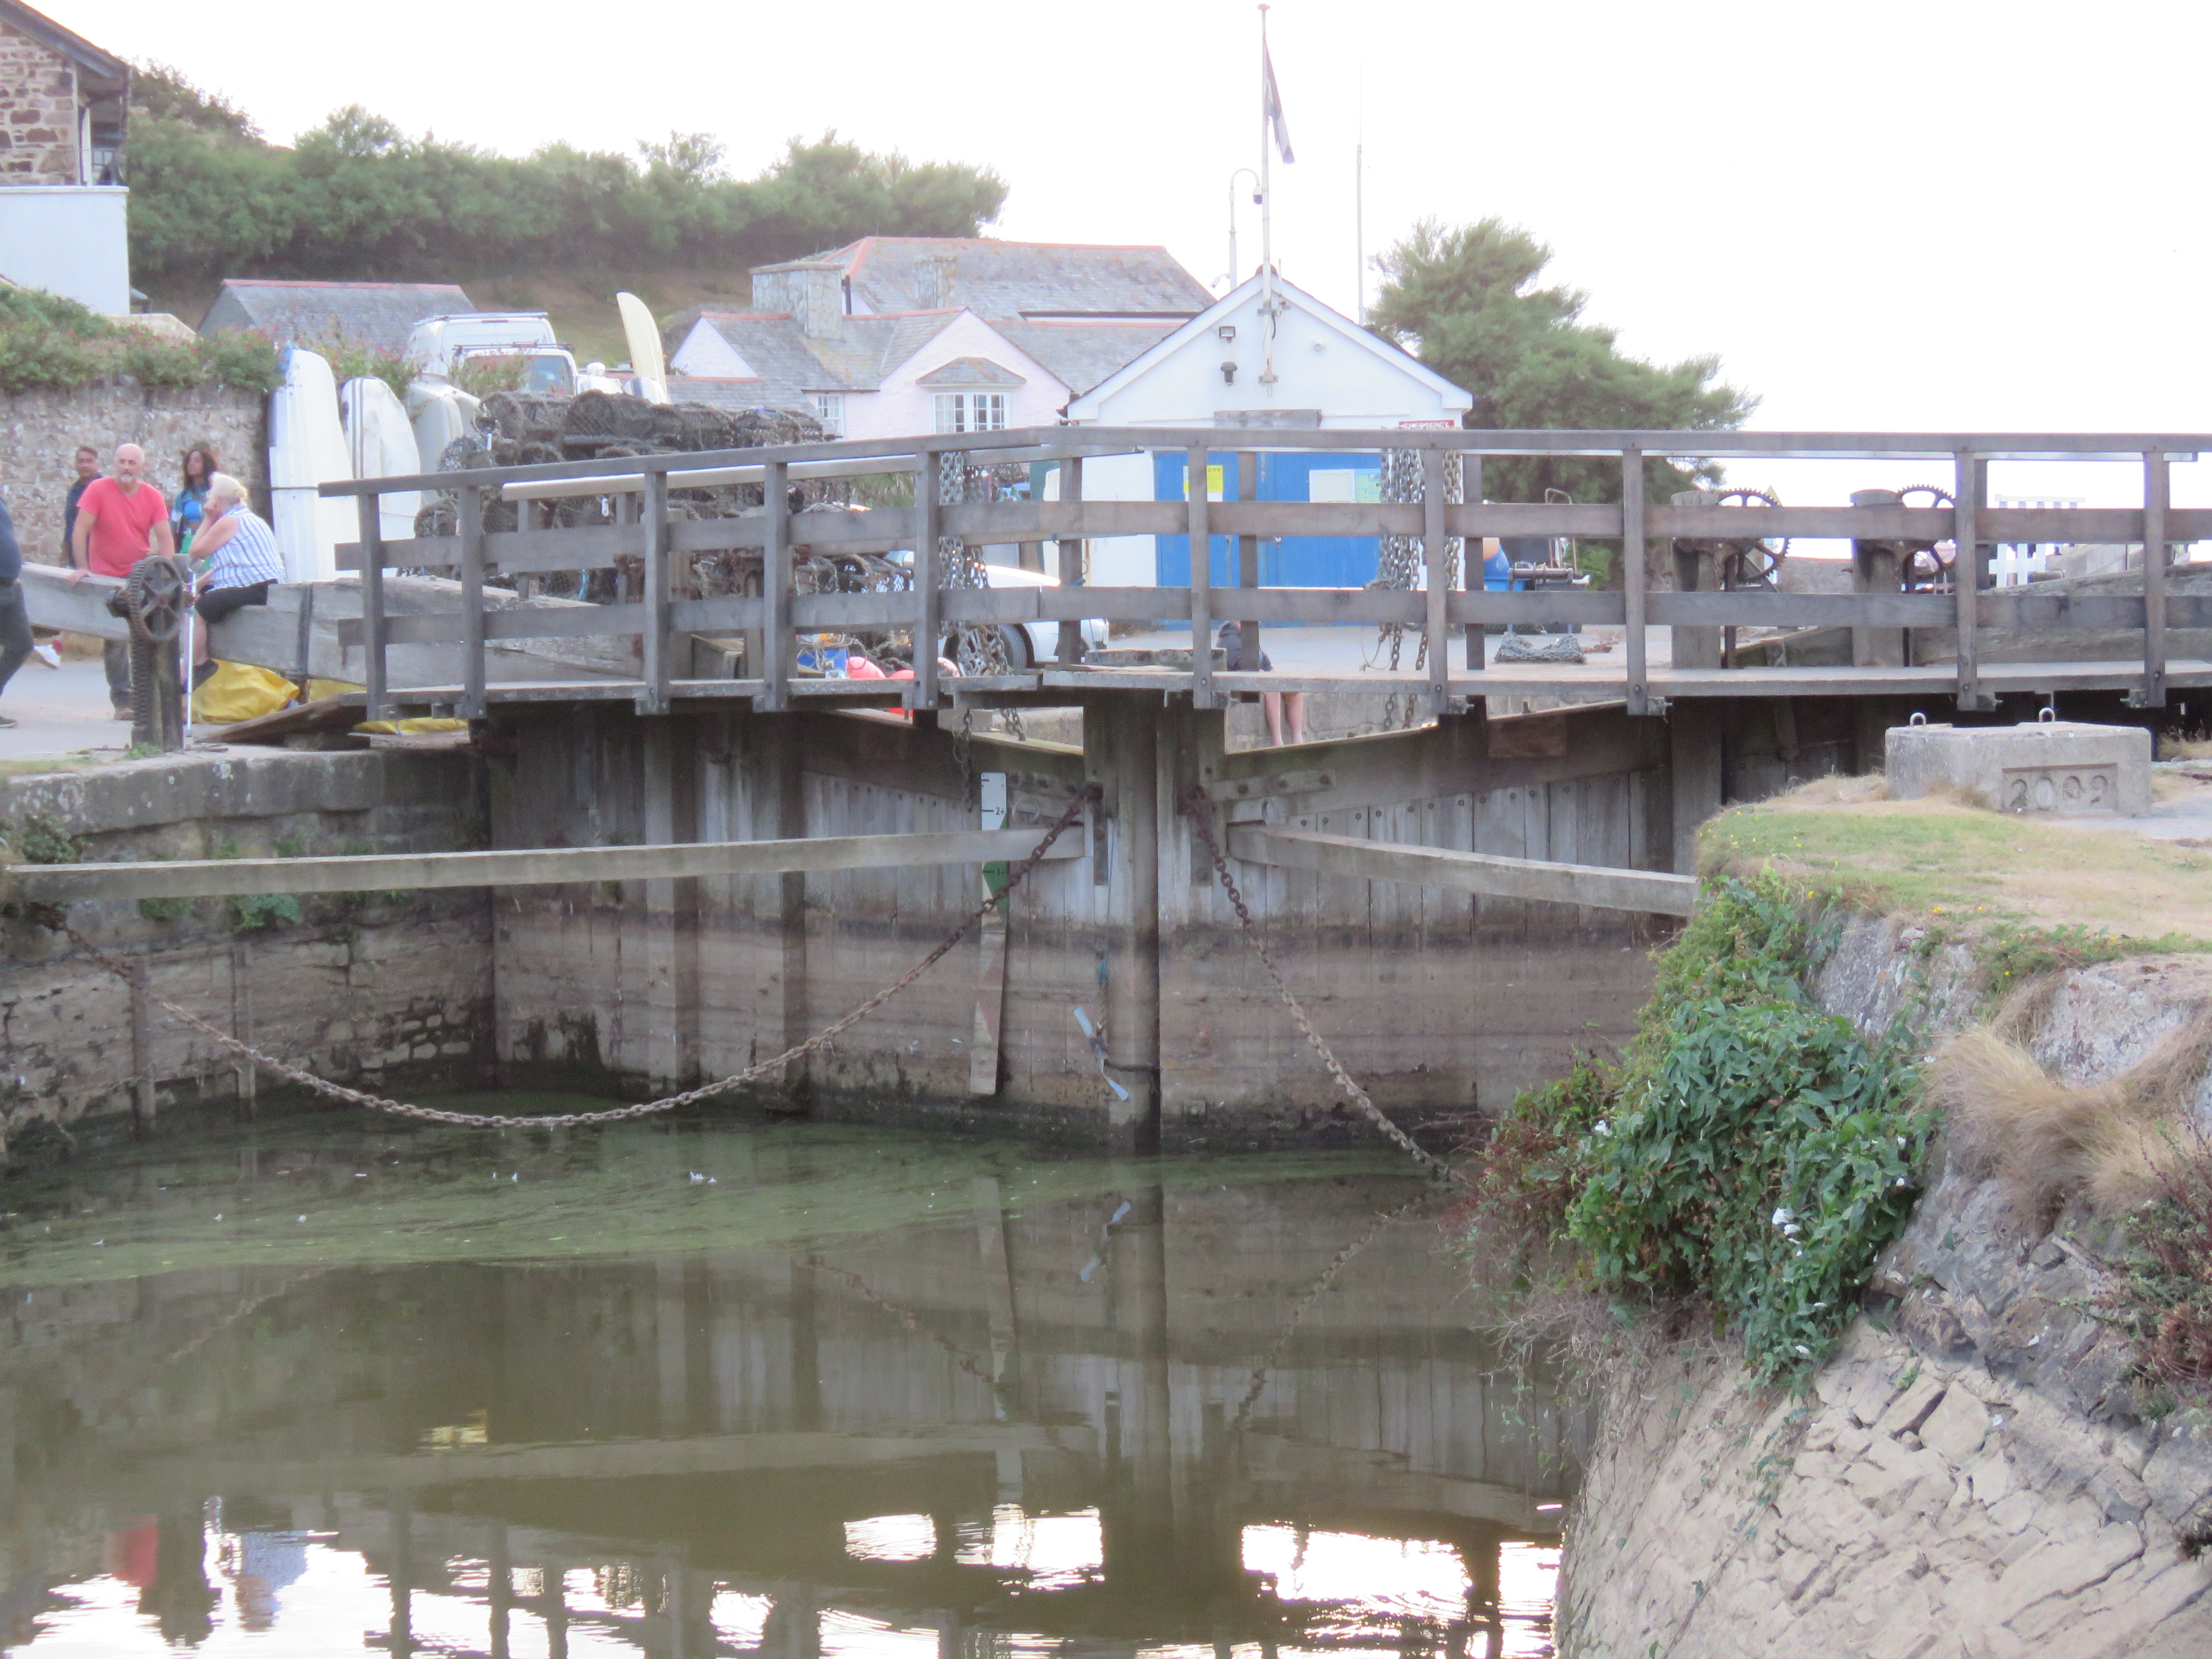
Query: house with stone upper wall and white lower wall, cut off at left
column 63, row 105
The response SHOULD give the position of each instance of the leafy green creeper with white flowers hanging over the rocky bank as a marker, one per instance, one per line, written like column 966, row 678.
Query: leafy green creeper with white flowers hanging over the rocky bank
column 1749, row 1149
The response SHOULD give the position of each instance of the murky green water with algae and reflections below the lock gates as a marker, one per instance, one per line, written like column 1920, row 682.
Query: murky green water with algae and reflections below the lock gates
column 753, row 1388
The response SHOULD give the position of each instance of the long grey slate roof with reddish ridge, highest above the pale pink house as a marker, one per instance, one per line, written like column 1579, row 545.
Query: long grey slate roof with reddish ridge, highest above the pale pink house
column 999, row 280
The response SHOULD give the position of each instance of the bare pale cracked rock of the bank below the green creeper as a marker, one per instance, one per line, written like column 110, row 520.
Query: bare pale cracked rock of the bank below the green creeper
column 1972, row 1474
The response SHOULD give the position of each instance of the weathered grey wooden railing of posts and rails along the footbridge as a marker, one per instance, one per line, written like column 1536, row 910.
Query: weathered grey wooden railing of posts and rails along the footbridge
column 662, row 618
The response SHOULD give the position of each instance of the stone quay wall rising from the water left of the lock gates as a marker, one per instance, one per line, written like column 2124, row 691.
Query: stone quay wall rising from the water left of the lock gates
column 377, row 990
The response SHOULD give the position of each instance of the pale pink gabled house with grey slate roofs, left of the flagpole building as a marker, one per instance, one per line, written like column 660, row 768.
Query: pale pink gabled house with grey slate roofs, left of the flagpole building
column 901, row 335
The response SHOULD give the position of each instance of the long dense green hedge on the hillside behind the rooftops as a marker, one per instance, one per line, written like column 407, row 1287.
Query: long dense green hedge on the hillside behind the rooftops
column 362, row 200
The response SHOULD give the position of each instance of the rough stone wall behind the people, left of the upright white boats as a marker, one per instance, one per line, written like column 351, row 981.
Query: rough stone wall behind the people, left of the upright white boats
column 41, row 435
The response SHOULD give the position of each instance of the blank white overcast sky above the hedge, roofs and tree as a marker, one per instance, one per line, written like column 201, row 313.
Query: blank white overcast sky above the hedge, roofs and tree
column 1881, row 216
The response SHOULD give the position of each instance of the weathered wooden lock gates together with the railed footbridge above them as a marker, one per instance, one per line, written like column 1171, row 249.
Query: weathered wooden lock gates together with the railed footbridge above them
column 700, row 853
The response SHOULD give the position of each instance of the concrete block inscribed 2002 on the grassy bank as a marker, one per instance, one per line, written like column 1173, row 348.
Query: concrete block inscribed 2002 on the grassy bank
column 2041, row 769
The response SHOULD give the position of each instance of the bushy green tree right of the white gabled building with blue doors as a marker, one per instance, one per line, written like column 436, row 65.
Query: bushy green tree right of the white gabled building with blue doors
column 1468, row 304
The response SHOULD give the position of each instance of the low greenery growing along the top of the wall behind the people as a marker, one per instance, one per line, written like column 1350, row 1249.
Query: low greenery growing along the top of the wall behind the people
column 52, row 344
